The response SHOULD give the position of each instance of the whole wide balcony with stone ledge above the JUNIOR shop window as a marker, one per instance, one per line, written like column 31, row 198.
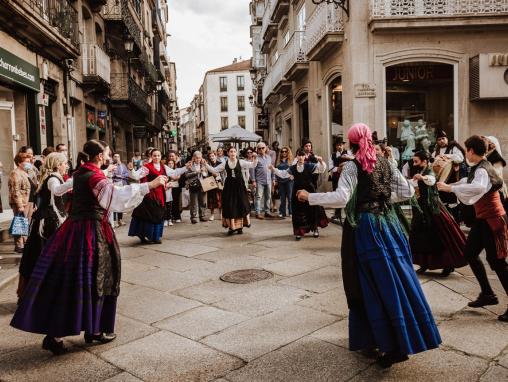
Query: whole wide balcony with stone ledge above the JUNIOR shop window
column 396, row 14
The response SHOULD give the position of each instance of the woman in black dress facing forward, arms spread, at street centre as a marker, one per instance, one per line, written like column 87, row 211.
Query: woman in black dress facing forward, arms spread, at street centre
column 235, row 205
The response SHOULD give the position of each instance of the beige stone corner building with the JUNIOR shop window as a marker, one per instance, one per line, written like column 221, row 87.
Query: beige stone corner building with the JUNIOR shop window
column 406, row 68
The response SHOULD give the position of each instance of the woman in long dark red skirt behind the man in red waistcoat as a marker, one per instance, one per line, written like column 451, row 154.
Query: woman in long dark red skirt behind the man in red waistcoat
column 436, row 239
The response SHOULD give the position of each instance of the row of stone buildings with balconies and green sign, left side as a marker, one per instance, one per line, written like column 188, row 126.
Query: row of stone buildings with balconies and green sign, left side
column 75, row 70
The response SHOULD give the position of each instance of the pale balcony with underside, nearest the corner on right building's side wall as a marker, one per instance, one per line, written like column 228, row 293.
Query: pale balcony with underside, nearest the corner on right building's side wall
column 324, row 32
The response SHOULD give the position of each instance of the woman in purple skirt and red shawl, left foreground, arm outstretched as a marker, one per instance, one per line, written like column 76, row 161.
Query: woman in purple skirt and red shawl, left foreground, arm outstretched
column 76, row 280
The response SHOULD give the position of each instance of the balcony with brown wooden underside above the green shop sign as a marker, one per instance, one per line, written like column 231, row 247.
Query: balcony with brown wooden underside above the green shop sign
column 50, row 26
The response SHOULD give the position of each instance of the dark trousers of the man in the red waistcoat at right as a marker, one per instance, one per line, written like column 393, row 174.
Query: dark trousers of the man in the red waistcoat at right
column 480, row 238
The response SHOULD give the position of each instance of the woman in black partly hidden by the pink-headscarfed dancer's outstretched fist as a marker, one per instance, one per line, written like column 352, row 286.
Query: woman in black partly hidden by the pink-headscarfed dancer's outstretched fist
column 305, row 218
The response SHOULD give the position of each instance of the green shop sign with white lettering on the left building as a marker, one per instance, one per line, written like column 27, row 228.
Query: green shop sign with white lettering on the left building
column 19, row 71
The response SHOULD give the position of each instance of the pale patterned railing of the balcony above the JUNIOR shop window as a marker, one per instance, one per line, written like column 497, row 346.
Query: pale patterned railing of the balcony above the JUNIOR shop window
column 381, row 9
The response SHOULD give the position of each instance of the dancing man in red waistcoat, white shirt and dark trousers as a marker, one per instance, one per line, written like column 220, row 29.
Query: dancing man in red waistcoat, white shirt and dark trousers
column 489, row 230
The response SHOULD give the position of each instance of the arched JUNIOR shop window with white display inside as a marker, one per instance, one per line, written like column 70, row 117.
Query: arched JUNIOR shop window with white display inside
column 419, row 104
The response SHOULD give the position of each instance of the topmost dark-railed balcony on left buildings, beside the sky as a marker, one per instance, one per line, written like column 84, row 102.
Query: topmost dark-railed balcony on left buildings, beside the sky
column 120, row 12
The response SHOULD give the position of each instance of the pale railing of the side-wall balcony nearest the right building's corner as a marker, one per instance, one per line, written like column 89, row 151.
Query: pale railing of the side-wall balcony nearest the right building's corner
column 326, row 19
